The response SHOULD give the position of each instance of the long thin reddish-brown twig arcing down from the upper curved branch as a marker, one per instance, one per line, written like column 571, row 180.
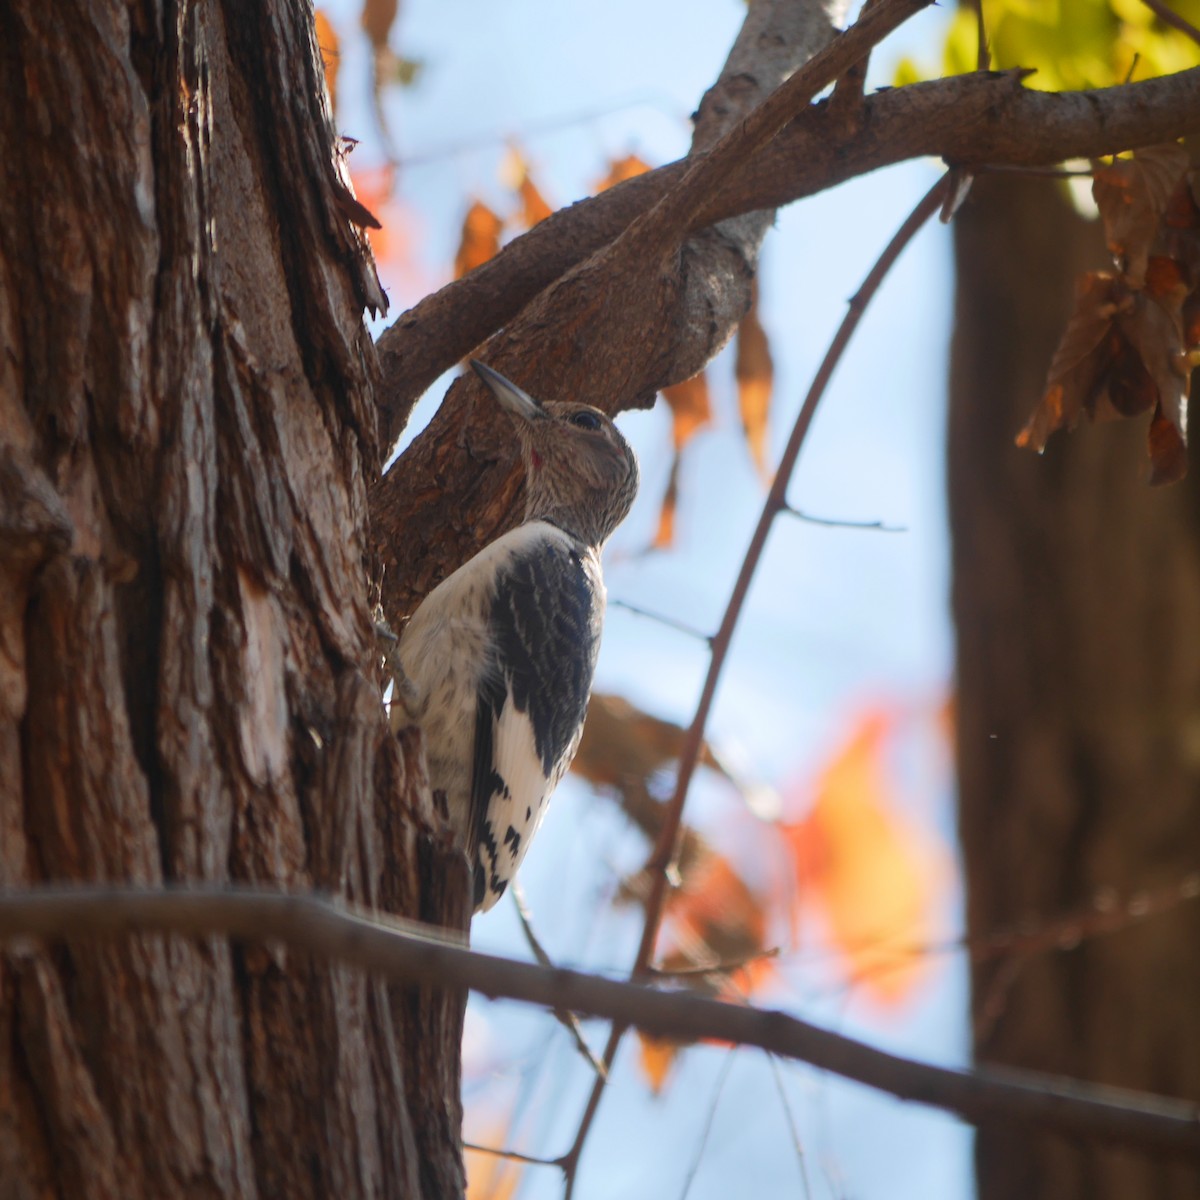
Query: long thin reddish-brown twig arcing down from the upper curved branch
column 665, row 850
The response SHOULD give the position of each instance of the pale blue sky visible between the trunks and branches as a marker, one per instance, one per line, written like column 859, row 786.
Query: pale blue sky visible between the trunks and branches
column 837, row 619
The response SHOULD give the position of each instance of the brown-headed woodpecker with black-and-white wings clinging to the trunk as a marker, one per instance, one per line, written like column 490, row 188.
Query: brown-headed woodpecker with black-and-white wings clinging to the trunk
column 500, row 657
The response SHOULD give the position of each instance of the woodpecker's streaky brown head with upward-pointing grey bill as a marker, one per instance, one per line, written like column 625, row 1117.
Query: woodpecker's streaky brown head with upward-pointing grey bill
column 581, row 473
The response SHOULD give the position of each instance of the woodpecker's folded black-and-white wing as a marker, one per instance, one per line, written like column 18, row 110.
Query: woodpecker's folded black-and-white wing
column 545, row 629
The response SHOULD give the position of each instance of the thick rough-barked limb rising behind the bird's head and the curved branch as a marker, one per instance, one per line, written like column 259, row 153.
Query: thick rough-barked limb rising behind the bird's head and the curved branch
column 611, row 332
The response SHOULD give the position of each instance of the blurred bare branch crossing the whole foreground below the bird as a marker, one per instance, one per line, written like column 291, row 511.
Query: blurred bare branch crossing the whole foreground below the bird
column 421, row 955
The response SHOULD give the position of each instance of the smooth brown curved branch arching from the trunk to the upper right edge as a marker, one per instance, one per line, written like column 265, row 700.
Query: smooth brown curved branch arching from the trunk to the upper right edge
column 976, row 119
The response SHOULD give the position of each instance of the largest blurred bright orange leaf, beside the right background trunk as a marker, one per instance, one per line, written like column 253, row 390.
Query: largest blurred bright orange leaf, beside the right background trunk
column 874, row 875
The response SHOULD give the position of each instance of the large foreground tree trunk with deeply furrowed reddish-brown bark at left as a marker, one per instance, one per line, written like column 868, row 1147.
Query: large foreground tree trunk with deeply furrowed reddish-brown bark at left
column 188, row 665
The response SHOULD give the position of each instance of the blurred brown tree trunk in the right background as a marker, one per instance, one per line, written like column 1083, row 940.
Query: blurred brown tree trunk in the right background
column 1076, row 593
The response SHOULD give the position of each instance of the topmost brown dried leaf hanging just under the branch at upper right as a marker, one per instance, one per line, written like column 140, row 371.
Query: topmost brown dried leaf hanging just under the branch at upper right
column 1132, row 196
